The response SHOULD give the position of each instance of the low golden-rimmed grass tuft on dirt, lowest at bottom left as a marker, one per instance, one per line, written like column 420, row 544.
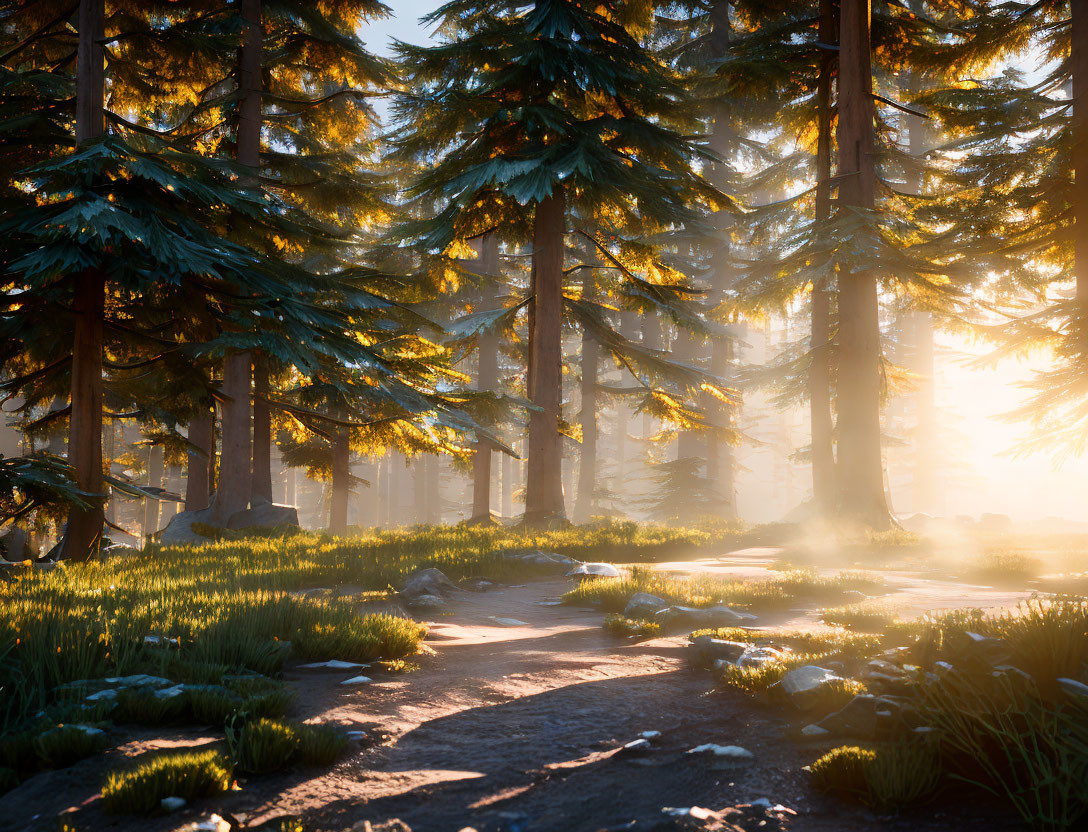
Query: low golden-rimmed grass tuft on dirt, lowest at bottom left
column 190, row 775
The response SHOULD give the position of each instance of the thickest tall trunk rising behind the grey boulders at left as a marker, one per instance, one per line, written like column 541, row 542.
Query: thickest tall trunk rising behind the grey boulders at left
column 237, row 474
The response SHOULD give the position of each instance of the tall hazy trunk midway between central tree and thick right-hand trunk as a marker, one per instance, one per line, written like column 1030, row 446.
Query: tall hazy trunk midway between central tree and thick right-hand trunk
column 721, row 465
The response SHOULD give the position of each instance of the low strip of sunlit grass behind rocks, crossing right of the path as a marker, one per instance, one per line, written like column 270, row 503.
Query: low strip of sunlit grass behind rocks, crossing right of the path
column 782, row 591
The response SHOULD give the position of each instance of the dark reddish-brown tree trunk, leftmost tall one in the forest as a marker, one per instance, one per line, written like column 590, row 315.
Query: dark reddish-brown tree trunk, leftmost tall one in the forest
column 84, row 531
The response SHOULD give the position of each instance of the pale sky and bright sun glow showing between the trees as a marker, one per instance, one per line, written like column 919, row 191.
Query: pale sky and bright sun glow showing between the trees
column 982, row 477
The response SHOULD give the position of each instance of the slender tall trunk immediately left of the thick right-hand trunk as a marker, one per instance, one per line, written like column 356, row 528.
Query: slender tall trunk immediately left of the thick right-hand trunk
column 820, row 372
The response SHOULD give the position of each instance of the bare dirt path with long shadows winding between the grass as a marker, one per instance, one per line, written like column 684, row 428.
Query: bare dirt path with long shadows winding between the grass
column 515, row 723
